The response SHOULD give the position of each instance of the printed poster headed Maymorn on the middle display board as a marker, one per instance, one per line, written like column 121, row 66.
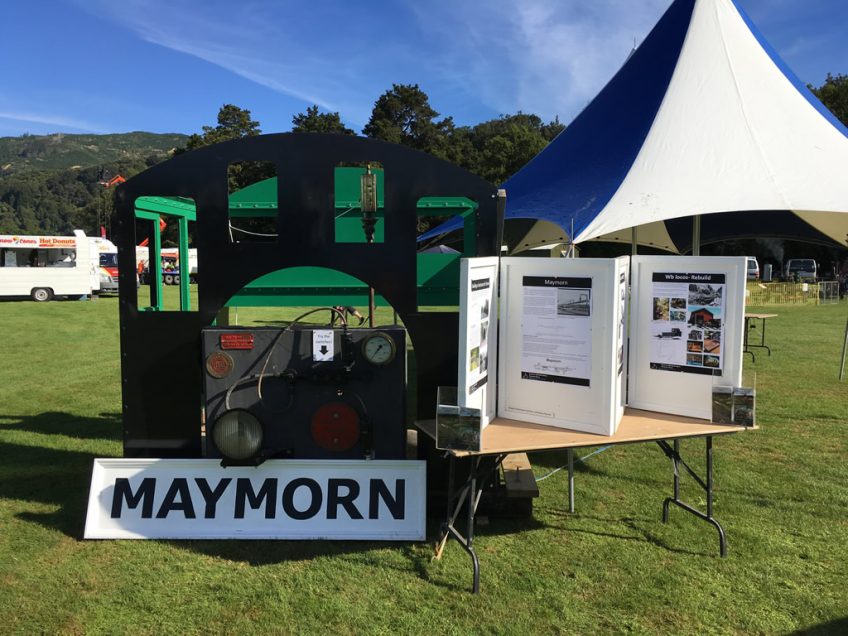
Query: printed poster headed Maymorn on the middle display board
column 557, row 330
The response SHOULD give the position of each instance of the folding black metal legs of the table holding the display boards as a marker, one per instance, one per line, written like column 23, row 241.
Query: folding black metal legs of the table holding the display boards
column 468, row 495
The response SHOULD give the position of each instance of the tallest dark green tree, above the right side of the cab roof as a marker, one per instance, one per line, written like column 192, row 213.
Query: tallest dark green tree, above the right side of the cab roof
column 403, row 115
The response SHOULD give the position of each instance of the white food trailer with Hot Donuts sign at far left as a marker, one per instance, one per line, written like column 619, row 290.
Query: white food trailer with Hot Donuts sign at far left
column 42, row 267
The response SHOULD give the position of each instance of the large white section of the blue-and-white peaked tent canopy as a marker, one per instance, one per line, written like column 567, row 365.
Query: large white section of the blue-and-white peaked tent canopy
column 733, row 133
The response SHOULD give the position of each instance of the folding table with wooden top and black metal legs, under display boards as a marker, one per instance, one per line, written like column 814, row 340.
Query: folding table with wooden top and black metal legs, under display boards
column 504, row 436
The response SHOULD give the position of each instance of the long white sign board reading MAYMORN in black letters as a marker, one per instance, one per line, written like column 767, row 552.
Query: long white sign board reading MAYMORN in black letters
column 280, row 499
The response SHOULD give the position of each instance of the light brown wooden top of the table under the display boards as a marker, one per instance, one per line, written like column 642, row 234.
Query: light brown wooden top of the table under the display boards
column 514, row 436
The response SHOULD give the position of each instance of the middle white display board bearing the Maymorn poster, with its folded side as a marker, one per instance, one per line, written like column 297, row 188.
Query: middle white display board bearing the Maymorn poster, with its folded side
column 562, row 354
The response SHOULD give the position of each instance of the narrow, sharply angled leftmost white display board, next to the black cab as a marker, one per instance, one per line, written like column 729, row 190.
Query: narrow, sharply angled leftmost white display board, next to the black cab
column 478, row 328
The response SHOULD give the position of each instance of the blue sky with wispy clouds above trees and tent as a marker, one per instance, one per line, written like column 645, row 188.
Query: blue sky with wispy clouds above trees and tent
column 168, row 65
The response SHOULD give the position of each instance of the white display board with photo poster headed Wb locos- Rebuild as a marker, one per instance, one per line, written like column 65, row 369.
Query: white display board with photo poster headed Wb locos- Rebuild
column 687, row 324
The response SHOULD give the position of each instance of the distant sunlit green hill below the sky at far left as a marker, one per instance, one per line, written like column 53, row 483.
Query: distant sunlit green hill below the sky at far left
column 62, row 151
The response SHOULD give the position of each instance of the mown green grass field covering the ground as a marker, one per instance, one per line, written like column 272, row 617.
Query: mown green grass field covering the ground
column 781, row 492
